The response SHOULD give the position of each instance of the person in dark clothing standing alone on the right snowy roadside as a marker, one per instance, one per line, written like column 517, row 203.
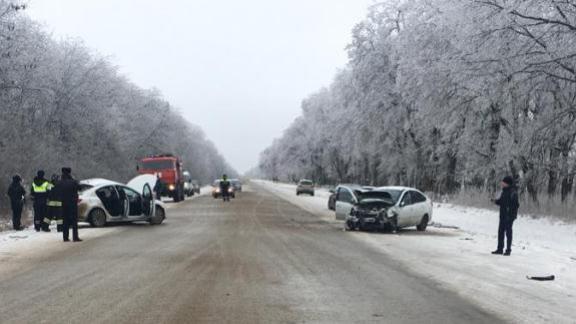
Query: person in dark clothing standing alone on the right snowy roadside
column 509, row 205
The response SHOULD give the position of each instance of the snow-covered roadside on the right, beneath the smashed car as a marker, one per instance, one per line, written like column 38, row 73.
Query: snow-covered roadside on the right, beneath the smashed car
column 455, row 253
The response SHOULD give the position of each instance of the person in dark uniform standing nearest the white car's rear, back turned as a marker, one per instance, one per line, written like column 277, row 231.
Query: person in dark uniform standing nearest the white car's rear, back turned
column 68, row 189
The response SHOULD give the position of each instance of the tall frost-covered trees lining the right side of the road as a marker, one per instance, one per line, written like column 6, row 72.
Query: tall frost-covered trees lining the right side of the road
column 446, row 96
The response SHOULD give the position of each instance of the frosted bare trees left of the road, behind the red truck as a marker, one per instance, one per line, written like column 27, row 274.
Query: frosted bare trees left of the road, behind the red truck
column 62, row 104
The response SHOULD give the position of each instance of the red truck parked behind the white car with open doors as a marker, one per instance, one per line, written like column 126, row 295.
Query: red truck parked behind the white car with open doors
column 169, row 168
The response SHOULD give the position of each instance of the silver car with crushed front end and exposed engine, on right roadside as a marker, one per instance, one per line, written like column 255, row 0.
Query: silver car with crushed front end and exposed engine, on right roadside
column 389, row 208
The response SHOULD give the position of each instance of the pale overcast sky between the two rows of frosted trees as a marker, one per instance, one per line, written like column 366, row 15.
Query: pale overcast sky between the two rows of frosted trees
column 238, row 69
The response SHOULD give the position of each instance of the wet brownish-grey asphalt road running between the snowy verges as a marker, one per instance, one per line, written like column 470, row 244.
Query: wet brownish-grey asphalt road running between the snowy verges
column 258, row 259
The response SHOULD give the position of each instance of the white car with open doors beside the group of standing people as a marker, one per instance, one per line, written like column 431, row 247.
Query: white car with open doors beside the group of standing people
column 103, row 201
